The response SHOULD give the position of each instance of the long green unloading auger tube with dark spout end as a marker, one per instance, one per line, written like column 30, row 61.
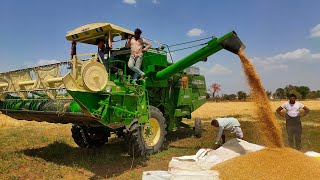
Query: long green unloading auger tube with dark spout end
column 229, row 41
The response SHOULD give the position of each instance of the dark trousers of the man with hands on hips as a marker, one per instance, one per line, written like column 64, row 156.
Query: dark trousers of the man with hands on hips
column 294, row 130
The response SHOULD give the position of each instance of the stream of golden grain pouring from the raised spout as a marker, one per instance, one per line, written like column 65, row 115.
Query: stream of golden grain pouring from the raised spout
column 269, row 128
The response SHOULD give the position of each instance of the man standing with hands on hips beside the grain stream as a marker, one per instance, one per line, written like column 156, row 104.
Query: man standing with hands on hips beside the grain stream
column 293, row 123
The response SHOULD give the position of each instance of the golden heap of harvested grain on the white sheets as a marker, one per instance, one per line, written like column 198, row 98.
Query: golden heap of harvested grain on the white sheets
column 276, row 163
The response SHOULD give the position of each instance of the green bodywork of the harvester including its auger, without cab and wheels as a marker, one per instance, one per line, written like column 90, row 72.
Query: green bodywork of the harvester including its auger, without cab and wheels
column 125, row 102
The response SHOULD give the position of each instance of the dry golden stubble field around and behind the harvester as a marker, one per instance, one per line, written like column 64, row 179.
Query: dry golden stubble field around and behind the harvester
column 32, row 150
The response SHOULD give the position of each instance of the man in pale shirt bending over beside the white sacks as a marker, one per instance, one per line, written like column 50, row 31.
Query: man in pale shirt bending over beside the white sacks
column 229, row 124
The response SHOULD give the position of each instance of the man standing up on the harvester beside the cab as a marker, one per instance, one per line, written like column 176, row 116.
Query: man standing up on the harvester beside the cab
column 136, row 43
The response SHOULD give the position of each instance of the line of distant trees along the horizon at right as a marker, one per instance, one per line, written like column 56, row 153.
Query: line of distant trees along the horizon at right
column 302, row 92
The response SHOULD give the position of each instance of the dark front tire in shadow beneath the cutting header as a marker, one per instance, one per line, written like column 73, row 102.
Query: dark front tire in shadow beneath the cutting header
column 89, row 137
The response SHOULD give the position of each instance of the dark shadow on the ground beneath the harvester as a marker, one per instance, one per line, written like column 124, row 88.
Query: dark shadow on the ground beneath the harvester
column 110, row 160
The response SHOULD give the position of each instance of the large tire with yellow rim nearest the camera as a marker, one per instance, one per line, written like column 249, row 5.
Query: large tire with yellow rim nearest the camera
column 148, row 138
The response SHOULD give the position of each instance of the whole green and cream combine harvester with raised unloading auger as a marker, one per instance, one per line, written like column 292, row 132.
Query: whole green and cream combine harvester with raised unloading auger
column 99, row 101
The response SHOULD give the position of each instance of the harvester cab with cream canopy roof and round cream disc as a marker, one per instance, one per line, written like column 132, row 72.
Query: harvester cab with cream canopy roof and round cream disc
column 102, row 35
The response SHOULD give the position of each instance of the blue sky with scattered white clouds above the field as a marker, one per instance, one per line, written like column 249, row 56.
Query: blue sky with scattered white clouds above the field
column 282, row 37
